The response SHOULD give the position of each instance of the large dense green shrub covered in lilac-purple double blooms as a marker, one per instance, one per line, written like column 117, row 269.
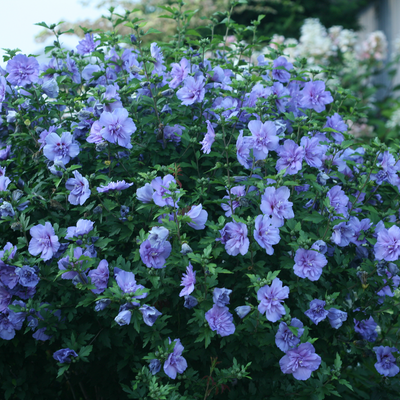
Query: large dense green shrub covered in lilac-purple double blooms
column 173, row 225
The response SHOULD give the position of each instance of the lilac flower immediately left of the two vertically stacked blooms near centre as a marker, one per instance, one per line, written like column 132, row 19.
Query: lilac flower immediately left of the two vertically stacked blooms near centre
column 234, row 237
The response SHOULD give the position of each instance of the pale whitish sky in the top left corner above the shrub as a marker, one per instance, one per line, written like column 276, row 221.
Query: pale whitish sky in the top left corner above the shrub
column 17, row 19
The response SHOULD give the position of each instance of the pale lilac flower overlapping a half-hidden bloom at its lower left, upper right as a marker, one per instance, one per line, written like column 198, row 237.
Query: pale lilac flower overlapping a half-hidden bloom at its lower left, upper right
column 264, row 138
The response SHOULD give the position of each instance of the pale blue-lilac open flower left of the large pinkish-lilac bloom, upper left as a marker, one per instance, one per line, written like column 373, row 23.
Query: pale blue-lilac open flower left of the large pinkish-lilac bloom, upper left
column 60, row 149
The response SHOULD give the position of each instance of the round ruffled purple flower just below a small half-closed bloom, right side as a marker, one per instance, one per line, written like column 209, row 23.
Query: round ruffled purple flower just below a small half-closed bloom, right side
column 309, row 264
